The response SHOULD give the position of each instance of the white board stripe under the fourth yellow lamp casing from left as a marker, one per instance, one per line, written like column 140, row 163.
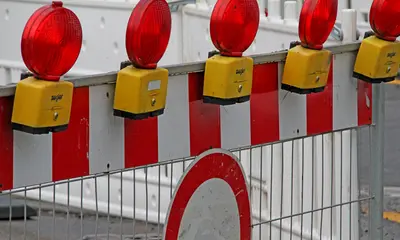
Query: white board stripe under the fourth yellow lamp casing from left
column 292, row 111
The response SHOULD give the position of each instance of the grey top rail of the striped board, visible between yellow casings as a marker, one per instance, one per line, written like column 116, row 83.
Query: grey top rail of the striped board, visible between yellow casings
column 181, row 69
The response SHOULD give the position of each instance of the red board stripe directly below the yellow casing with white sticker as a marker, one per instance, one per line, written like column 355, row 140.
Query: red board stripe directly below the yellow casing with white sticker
column 141, row 142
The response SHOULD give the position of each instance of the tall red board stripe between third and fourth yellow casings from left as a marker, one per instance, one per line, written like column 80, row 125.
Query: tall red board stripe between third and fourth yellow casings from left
column 264, row 104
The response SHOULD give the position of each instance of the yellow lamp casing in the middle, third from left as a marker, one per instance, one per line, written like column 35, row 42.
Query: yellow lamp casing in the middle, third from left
column 227, row 80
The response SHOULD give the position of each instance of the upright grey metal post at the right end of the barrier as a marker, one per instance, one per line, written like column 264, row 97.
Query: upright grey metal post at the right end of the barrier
column 376, row 180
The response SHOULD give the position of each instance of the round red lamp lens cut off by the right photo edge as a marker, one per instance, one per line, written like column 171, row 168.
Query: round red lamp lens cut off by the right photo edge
column 384, row 18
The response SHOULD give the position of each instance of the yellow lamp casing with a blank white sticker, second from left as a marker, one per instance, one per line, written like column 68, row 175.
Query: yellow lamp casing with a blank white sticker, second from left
column 140, row 93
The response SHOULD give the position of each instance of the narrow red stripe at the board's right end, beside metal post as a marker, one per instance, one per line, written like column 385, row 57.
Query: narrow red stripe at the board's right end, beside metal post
column 364, row 103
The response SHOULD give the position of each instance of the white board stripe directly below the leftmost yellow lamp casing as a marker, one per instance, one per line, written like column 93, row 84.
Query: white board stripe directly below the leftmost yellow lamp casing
column 32, row 159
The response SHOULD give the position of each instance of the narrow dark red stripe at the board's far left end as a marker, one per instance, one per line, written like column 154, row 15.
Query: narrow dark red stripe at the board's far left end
column 6, row 144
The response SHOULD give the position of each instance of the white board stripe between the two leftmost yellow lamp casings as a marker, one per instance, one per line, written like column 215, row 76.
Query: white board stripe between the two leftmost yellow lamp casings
column 106, row 133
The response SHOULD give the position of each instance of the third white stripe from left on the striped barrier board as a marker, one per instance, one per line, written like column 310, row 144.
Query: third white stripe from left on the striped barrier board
column 173, row 125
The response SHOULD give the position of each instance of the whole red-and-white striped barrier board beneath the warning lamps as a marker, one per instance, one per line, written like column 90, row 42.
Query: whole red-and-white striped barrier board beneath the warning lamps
column 96, row 141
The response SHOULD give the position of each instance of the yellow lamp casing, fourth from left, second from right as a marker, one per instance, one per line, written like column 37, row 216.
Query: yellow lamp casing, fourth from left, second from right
column 306, row 70
